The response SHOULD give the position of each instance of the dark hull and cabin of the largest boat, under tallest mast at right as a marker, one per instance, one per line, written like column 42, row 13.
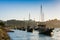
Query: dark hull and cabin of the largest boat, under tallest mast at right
column 44, row 30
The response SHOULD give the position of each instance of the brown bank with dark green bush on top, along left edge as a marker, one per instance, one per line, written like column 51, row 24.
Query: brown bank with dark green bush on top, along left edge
column 3, row 32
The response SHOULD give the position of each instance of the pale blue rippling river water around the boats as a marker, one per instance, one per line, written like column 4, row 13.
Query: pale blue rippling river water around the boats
column 23, row 35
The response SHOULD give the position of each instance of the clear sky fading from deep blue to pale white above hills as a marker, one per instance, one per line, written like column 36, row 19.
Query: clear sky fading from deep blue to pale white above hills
column 20, row 9
